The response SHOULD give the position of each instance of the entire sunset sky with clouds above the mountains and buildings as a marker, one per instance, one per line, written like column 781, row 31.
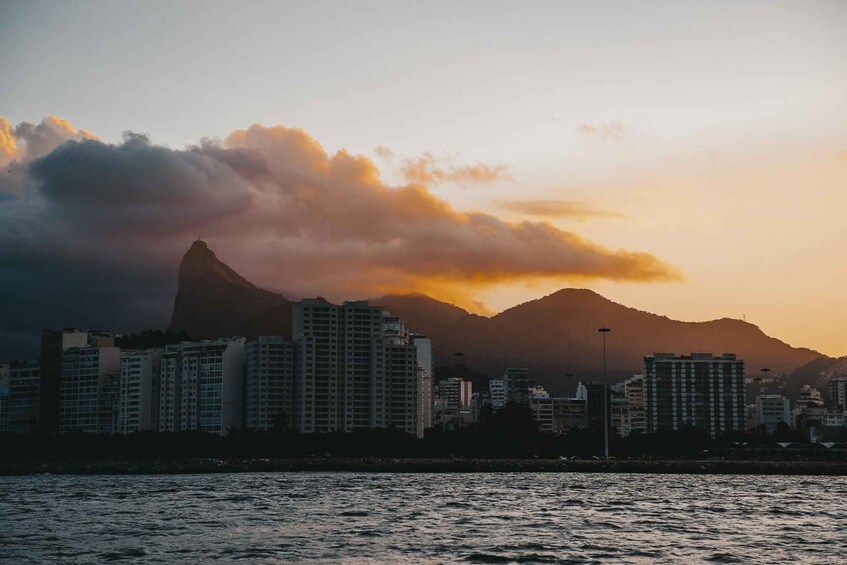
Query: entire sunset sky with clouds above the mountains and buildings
column 683, row 158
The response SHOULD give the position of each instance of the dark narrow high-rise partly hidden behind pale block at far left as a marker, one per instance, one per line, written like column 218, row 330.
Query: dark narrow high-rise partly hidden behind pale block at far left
column 53, row 345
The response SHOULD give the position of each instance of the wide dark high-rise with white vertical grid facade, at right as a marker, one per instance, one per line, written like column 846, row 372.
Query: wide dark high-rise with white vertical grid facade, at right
column 700, row 390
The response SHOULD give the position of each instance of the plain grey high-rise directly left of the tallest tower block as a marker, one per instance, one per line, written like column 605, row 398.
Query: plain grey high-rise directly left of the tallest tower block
column 270, row 384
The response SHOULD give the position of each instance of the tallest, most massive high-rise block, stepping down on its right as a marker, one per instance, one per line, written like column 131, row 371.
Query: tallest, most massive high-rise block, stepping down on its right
column 356, row 366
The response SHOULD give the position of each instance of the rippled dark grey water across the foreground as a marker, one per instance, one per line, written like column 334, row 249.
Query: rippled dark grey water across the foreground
column 489, row 518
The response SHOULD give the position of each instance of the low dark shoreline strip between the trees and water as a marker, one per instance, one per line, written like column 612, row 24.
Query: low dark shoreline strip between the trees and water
column 422, row 465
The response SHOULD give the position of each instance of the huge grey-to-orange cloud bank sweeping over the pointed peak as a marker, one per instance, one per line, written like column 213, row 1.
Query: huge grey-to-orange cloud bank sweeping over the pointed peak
column 94, row 232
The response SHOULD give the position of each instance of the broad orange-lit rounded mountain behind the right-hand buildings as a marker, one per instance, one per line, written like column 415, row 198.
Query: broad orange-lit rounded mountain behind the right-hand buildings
column 557, row 334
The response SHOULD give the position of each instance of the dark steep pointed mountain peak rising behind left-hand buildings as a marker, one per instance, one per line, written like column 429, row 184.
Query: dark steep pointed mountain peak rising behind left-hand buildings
column 213, row 301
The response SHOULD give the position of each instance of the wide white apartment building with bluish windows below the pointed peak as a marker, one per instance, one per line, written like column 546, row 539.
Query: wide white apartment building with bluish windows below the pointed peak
column 201, row 386
